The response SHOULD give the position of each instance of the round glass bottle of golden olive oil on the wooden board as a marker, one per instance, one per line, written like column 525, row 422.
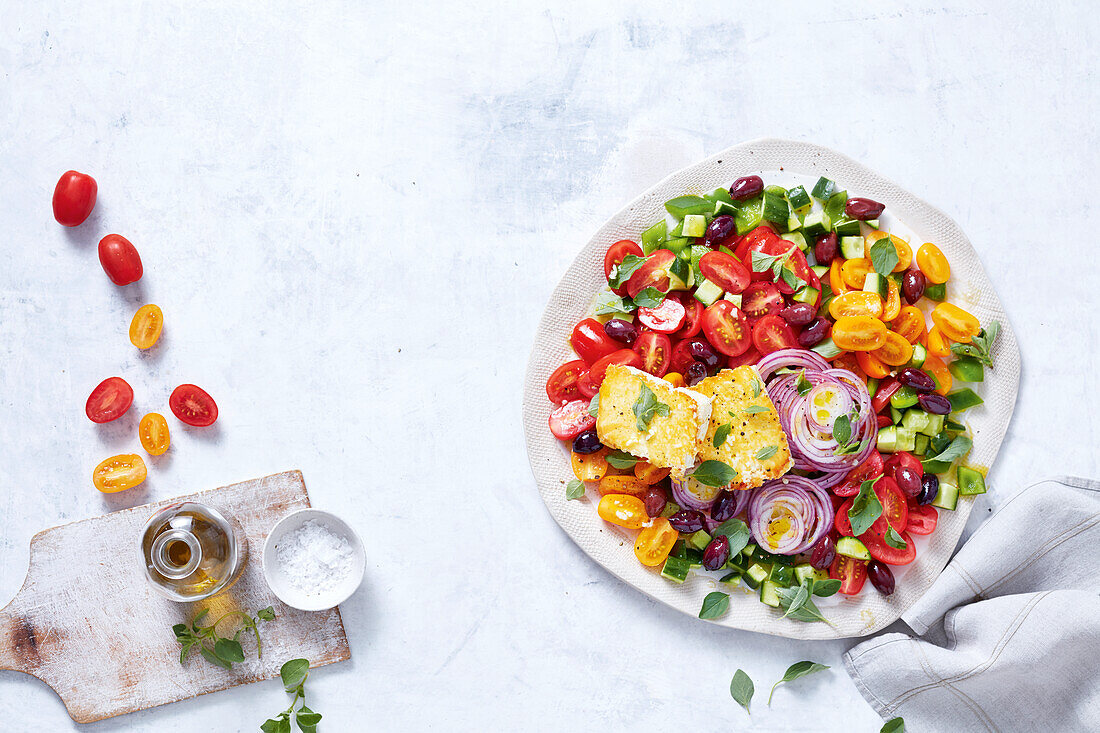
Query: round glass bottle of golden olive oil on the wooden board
column 192, row 552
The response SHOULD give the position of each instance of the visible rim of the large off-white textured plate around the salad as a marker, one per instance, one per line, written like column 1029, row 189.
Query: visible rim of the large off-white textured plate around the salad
column 786, row 163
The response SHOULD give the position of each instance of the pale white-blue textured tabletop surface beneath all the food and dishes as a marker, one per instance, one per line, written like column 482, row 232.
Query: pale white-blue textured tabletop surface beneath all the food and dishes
column 353, row 216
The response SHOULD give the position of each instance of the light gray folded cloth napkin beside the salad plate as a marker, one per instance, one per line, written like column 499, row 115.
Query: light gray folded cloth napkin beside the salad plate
column 1019, row 648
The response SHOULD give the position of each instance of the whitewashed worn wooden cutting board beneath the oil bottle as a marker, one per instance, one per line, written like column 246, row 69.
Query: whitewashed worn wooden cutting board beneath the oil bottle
column 89, row 625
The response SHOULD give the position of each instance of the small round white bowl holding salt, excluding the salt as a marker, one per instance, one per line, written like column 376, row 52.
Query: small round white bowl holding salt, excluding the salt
column 287, row 592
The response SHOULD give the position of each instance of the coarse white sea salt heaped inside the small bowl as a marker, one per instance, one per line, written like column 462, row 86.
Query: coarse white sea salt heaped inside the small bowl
column 315, row 560
